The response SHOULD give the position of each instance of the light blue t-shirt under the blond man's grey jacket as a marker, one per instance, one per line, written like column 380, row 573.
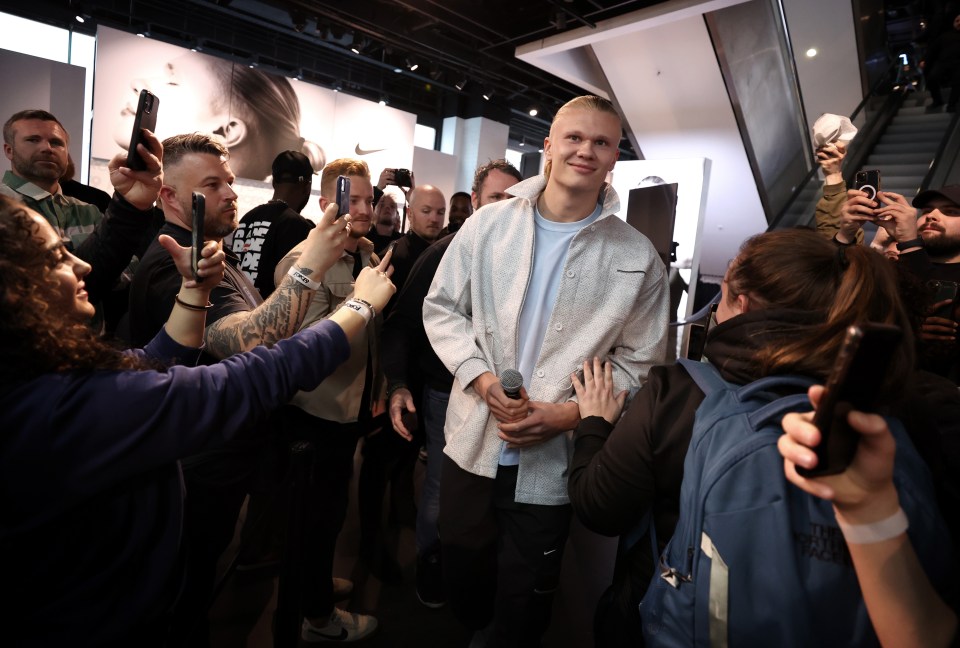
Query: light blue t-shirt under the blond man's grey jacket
column 551, row 242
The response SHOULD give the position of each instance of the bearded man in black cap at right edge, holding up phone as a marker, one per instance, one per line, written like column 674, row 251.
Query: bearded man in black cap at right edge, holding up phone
column 928, row 239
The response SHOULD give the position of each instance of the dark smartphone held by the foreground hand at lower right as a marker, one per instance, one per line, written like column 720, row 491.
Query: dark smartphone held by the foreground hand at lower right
column 854, row 382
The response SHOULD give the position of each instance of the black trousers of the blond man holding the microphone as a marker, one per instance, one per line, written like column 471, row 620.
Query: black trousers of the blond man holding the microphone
column 501, row 559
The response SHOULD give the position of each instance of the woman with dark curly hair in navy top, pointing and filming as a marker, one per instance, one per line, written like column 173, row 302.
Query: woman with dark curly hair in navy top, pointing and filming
column 89, row 473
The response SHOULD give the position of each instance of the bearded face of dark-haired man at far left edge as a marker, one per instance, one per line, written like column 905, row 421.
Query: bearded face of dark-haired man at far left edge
column 38, row 152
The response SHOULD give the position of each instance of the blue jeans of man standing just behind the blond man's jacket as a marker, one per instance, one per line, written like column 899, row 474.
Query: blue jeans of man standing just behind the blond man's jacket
column 434, row 415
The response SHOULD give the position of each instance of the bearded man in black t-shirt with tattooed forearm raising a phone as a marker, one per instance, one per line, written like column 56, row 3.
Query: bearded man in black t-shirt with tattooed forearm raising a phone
column 238, row 320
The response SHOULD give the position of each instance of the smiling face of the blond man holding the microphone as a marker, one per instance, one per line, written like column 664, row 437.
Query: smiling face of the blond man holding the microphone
column 582, row 149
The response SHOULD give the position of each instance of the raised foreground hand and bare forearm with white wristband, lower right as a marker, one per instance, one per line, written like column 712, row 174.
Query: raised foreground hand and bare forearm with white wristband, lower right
column 904, row 607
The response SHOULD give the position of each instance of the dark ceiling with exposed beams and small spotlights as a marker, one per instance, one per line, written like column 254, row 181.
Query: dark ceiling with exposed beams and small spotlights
column 463, row 49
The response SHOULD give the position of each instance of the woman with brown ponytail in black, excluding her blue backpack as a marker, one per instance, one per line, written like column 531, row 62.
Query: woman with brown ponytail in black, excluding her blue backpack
column 787, row 300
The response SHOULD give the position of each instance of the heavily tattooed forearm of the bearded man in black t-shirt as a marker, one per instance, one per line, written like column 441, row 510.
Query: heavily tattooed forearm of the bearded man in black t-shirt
column 277, row 318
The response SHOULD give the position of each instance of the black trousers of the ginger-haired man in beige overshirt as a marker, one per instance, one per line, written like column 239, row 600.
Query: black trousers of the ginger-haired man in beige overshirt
column 326, row 497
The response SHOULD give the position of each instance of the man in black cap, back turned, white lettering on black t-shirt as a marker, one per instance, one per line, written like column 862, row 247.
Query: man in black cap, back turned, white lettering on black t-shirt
column 266, row 233
